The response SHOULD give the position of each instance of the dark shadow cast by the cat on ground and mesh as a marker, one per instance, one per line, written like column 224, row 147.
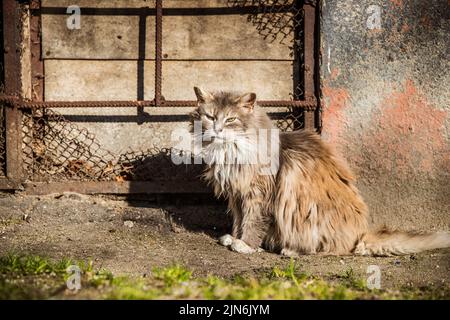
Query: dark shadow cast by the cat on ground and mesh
column 190, row 210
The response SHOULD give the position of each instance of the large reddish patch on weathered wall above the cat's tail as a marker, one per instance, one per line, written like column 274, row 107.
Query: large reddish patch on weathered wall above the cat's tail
column 408, row 134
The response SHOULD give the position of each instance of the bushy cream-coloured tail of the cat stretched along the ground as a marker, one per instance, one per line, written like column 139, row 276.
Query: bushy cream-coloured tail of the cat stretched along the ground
column 385, row 242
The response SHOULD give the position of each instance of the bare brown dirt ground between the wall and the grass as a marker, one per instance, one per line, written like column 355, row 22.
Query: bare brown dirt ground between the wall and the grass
column 132, row 237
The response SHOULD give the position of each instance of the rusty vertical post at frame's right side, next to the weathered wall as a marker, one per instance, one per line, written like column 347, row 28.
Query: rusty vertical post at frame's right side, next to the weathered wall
column 309, row 61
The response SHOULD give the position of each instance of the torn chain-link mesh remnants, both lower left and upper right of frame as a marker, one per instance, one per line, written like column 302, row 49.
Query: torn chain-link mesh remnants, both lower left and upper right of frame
column 55, row 149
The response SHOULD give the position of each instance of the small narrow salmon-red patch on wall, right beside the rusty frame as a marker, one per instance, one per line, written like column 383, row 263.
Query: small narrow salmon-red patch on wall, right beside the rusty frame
column 336, row 101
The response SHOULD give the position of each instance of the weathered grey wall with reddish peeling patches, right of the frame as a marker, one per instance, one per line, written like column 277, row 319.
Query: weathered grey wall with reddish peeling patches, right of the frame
column 387, row 104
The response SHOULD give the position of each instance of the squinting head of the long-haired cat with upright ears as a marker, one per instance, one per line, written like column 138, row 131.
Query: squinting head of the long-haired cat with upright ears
column 227, row 115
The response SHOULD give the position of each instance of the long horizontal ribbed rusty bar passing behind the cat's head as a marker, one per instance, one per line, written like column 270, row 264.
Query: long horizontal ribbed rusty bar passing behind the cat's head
column 22, row 104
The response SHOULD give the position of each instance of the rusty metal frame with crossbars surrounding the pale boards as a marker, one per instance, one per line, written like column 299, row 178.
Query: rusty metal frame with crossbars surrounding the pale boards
column 310, row 102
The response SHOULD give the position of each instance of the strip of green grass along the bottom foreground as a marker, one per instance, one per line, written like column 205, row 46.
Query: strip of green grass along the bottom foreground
column 35, row 277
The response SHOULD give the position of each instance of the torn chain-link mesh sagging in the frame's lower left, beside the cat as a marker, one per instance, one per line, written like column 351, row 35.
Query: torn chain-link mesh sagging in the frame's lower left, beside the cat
column 56, row 149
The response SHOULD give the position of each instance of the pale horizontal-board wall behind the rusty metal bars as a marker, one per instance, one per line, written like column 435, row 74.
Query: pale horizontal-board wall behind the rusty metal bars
column 99, row 62
